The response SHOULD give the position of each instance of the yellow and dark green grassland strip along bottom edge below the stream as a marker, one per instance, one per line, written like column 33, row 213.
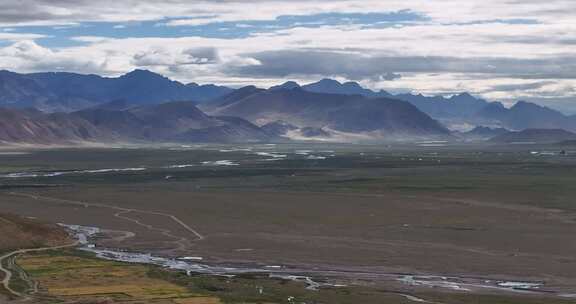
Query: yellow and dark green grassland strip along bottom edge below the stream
column 75, row 277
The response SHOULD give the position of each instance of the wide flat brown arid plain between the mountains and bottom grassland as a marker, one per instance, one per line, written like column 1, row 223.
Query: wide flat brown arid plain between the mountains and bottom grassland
column 453, row 224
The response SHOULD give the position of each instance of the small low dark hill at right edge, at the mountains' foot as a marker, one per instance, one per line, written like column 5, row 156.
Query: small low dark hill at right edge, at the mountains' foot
column 541, row 136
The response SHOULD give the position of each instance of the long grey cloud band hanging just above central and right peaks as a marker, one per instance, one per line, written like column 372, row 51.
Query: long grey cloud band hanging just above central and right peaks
column 354, row 65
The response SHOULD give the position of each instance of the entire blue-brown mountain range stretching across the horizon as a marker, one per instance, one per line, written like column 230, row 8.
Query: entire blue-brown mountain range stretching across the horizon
column 144, row 106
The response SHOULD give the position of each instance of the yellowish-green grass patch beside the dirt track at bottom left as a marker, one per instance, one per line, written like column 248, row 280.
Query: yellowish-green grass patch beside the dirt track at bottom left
column 65, row 276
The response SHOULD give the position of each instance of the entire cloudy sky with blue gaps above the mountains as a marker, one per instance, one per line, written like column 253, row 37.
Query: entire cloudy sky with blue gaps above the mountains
column 499, row 49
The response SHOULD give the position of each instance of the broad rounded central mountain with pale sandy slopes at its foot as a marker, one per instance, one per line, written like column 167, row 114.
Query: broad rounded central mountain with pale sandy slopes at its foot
column 378, row 118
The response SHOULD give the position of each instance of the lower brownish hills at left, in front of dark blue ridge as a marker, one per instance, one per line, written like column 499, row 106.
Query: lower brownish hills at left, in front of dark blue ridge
column 168, row 122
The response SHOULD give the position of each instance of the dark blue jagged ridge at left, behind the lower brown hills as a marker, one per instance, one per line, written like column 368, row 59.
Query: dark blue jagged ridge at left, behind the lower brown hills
column 53, row 92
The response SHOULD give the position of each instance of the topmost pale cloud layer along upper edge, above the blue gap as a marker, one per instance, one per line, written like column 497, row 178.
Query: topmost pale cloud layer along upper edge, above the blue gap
column 202, row 11
